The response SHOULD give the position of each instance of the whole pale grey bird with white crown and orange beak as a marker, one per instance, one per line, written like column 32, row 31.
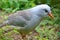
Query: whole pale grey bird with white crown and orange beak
column 27, row 20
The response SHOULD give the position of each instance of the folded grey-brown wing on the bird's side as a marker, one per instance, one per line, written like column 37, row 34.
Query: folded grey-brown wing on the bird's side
column 19, row 18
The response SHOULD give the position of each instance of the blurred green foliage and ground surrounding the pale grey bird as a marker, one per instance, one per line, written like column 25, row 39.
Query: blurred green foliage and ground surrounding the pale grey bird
column 48, row 29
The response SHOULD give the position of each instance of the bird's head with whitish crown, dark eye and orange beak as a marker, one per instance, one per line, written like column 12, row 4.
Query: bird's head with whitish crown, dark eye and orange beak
column 43, row 10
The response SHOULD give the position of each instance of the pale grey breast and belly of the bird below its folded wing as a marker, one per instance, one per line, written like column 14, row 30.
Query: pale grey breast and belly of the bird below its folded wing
column 31, row 25
